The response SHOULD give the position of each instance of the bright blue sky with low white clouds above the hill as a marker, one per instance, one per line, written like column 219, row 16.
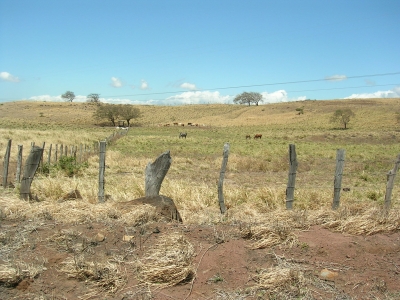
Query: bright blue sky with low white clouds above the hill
column 172, row 52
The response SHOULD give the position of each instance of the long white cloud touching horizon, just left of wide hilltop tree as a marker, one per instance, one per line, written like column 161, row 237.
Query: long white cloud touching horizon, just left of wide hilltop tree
column 203, row 97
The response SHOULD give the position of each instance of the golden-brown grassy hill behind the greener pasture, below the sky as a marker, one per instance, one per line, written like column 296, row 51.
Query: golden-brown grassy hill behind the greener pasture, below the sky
column 370, row 114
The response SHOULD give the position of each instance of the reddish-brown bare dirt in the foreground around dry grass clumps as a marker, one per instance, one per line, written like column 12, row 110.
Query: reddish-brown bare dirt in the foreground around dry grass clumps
column 368, row 267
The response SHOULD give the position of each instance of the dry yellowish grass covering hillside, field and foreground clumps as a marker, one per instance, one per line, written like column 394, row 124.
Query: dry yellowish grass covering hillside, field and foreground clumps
column 254, row 188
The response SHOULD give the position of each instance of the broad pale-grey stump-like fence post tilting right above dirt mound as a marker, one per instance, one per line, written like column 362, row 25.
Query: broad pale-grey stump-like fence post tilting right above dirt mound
column 155, row 173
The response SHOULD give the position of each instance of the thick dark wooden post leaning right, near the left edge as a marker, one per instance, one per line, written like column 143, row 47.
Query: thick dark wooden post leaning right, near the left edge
column 32, row 163
